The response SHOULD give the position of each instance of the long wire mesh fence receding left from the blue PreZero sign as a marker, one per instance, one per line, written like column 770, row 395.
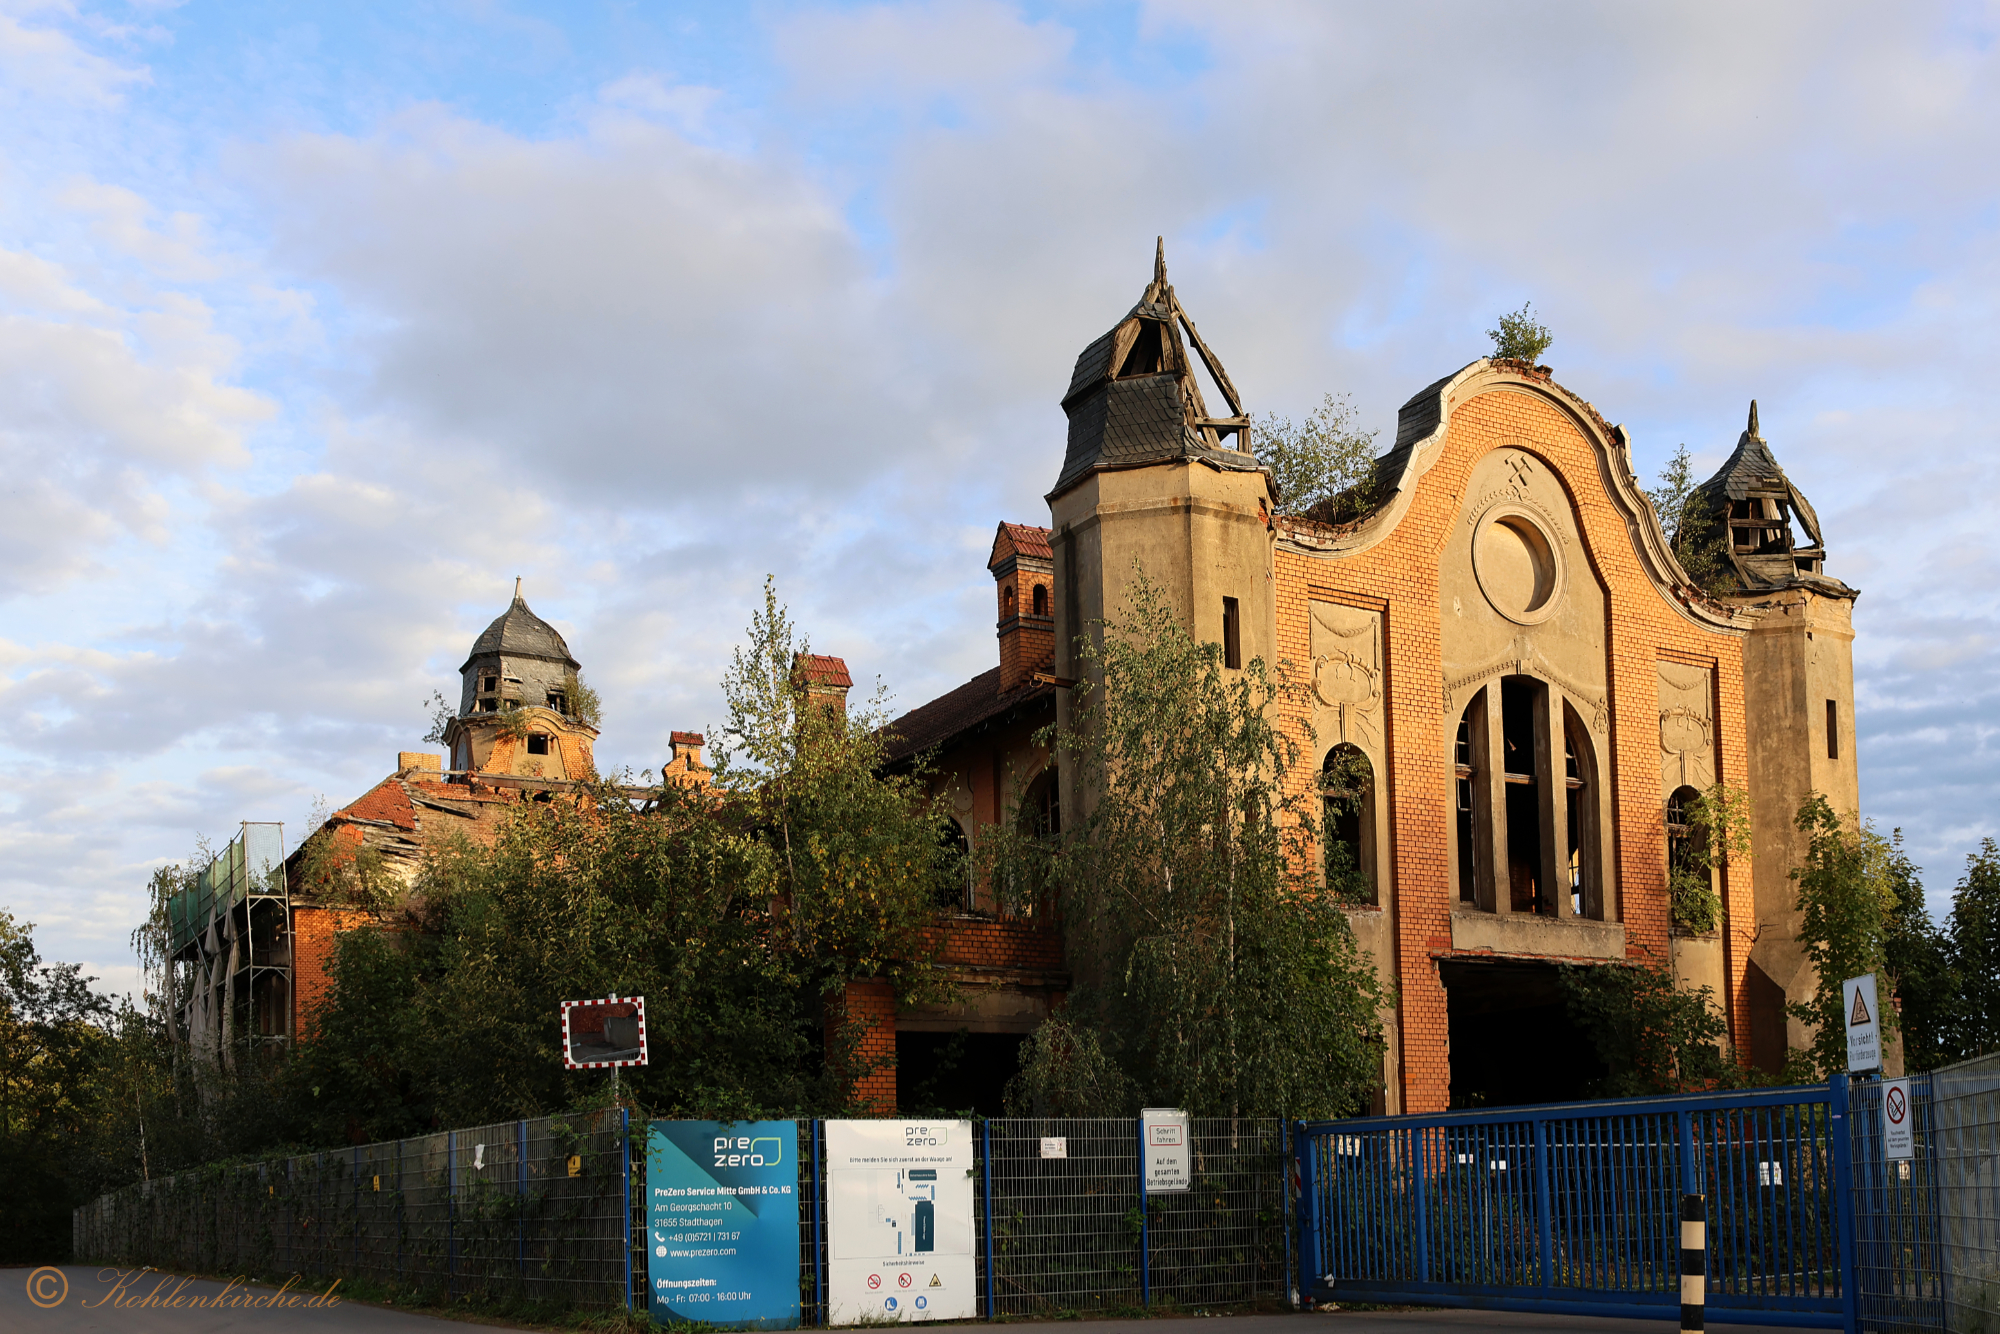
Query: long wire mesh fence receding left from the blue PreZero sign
column 533, row 1209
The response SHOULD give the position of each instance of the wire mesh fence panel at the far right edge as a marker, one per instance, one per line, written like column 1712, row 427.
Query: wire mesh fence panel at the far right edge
column 1967, row 1137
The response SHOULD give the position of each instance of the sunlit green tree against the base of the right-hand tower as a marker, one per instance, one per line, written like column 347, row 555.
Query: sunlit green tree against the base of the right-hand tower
column 1847, row 903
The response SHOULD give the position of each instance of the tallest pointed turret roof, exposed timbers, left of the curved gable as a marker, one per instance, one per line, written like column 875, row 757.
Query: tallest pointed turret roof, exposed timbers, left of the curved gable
column 1135, row 399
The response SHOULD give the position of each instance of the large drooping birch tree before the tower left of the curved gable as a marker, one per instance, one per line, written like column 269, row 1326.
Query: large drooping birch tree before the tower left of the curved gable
column 1213, row 965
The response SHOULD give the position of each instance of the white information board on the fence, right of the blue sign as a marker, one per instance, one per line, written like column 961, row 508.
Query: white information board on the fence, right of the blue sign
column 899, row 1221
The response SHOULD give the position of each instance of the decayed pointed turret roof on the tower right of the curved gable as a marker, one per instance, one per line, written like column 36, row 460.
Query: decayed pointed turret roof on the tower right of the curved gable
column 1751, row 507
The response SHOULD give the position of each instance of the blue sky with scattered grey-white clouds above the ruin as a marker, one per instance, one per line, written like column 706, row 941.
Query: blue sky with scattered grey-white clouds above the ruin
column 323, row 323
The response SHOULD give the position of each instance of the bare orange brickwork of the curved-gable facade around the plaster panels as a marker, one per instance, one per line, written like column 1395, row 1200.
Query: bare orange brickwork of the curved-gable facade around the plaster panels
column 1401, row 579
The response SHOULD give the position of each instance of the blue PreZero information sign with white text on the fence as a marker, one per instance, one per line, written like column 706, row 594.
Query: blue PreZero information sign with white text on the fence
column 723, row 1221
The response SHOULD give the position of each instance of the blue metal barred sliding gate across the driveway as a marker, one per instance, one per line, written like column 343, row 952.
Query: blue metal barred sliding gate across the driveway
column 1573, row 1207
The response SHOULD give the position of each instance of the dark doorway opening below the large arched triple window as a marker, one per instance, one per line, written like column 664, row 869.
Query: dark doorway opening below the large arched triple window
column 1513, row 1039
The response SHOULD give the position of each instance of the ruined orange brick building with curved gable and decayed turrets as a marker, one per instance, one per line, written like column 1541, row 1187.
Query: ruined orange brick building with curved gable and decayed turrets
column 1501, row 643
